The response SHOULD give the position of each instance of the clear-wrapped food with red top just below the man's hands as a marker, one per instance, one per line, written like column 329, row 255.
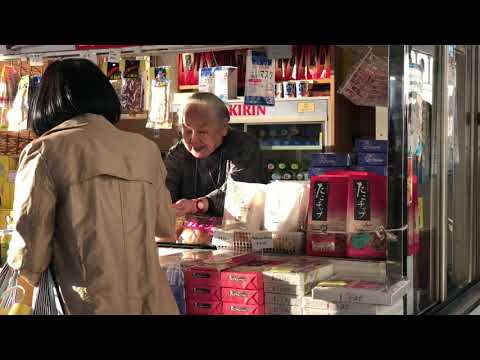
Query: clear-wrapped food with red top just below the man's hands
column 199, row 230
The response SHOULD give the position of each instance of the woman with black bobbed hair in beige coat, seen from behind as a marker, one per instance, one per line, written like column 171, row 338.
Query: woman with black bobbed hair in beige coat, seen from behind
column 90, row 199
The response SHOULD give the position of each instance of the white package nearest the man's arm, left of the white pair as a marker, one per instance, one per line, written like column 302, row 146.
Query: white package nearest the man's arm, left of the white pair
column 244, row 206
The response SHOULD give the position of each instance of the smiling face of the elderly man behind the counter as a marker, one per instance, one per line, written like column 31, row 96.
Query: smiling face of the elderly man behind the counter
column 202, row 132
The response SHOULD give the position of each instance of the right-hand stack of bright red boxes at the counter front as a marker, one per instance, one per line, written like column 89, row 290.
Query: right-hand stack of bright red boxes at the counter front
column 243, row 288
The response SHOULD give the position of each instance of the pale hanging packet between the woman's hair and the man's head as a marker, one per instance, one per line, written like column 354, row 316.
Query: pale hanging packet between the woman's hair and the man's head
column 160, row 98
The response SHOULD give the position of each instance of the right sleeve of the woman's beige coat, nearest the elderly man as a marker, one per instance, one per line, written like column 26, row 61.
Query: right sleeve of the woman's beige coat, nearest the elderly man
column 165, row 222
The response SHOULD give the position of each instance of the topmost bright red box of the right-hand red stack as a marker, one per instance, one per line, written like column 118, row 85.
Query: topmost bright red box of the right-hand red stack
column 248, row 276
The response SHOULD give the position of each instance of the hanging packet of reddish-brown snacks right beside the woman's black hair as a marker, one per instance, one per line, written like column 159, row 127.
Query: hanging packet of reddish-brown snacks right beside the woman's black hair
column 131, row 97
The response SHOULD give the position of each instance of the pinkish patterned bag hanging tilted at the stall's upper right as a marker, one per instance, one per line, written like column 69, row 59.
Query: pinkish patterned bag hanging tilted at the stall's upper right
column 367, row 84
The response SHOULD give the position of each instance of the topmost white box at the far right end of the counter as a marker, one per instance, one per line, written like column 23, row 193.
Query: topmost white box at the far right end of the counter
column 353, row 291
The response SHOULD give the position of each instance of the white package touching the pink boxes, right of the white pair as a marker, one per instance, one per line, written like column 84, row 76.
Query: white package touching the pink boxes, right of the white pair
column 285, row 206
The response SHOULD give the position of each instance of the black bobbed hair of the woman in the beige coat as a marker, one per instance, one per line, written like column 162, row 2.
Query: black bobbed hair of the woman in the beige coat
column 70, row 88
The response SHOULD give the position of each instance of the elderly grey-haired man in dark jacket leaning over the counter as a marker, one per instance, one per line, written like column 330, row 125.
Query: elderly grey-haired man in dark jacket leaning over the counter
column 210, row 151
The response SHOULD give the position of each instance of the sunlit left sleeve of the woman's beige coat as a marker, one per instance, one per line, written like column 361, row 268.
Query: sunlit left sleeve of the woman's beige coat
column 30, row 249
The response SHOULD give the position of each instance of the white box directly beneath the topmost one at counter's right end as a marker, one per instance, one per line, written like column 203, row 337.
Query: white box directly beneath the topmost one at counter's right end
column 355, row 309
